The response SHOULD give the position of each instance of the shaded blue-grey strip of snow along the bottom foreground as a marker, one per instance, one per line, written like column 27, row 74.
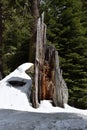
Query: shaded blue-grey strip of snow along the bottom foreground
column 17, row 120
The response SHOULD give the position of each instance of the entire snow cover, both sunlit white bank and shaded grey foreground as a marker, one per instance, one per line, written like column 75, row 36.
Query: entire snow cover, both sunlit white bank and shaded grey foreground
column 17, row 98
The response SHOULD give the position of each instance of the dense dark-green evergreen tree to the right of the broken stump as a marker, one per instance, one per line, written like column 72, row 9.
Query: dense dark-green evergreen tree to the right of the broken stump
column 67, row 32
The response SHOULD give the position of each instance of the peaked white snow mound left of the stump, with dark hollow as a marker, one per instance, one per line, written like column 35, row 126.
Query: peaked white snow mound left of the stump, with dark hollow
column 16, row 98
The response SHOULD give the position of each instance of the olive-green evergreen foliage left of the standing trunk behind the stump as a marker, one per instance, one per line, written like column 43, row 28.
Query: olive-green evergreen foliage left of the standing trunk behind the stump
column 17, row 33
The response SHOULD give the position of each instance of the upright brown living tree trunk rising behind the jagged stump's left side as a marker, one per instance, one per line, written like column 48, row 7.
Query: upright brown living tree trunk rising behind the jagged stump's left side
column 35, row 14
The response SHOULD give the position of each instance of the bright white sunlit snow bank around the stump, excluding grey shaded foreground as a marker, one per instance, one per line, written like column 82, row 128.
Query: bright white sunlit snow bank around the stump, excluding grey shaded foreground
column 17, row 97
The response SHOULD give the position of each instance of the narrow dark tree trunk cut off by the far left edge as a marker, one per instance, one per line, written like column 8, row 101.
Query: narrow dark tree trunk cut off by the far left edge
column 1, row 66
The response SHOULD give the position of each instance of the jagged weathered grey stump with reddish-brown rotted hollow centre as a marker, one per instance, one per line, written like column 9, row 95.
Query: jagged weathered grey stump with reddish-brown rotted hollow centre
column 49, row 83
